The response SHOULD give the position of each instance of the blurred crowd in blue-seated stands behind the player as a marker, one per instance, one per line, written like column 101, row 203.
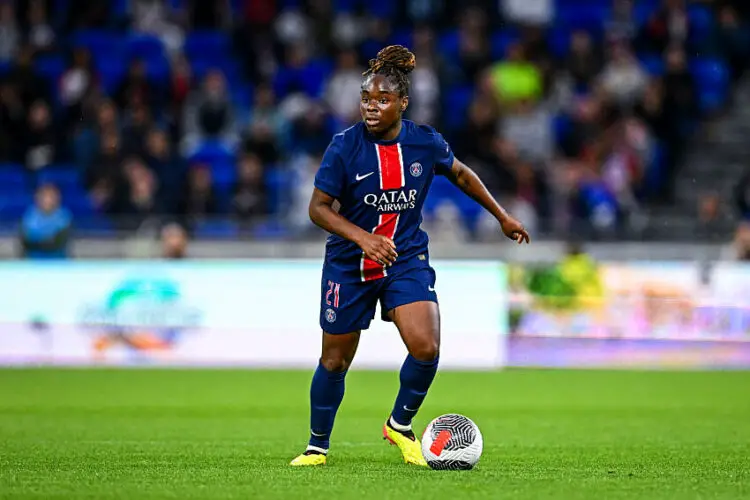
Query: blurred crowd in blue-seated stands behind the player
column 214, row 115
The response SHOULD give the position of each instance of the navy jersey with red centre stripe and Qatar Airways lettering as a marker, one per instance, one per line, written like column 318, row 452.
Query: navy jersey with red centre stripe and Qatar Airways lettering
column 381, row 186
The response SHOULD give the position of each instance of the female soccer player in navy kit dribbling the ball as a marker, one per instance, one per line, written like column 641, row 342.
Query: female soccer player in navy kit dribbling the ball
column 380, row 171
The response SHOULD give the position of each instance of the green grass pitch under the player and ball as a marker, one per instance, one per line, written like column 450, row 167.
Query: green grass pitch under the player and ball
column 229, row 434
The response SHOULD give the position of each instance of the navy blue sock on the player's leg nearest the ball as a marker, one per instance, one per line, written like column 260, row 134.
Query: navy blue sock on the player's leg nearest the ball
column 416, row 377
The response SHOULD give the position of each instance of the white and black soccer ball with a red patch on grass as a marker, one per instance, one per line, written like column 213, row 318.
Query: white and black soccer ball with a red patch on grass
column 452, row 442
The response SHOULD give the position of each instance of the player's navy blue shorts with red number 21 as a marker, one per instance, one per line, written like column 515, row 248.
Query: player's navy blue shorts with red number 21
column 347, row 307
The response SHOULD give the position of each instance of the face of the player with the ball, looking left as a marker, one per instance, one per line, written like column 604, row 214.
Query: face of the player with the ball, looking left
column 380, row 104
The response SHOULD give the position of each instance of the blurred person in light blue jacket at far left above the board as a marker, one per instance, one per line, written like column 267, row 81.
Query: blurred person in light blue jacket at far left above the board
column 45, row 228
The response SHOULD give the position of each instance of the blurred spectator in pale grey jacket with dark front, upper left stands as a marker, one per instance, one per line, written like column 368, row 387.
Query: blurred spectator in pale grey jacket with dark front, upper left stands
column 209, row 114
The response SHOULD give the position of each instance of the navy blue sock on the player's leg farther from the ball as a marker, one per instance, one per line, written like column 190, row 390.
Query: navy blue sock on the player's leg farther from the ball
column 326, row 393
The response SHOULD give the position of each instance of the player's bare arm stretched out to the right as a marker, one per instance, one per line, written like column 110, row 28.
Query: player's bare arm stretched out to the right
column 469, row 182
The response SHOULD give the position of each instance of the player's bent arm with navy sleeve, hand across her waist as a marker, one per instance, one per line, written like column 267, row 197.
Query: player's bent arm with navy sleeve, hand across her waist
column 330, row 183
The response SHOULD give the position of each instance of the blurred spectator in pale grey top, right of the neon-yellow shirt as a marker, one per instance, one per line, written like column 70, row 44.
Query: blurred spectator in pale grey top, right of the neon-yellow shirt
column 623, row 79
